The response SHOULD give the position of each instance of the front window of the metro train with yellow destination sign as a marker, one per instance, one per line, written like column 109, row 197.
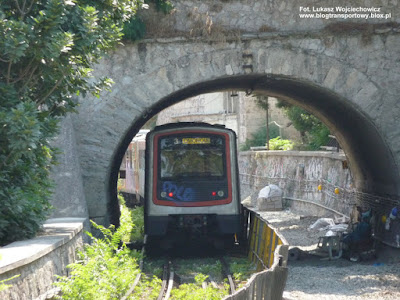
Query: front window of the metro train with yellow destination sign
column 198, row 156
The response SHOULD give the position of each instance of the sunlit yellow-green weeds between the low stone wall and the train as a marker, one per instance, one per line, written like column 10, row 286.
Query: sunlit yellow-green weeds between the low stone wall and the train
column 106, row 267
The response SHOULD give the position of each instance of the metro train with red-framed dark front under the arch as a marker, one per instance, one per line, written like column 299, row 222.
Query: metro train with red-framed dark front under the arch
column 192, row 184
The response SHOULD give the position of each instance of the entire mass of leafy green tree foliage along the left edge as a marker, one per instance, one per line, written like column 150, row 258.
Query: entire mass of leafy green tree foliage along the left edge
column 47, row 50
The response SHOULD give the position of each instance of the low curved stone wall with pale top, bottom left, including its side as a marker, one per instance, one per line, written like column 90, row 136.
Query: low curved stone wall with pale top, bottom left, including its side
column 38, row 260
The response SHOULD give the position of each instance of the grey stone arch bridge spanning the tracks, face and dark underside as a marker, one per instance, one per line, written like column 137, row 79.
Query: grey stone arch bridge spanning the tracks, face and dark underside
column 350, row 84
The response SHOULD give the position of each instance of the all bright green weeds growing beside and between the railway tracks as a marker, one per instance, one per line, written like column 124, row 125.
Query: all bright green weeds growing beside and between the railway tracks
column 107, row 268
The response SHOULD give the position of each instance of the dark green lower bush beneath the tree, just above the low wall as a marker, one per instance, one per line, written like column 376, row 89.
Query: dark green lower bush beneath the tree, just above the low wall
column 25, row 160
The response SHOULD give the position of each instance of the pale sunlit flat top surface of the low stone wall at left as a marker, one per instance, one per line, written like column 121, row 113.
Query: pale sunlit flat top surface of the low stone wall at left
column 56, row 232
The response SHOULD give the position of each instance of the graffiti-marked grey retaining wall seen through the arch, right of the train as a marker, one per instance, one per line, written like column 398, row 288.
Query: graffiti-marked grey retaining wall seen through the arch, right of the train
column 298, row 174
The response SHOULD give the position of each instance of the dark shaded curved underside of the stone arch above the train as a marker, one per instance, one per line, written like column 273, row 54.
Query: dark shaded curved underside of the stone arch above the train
column 360, row 139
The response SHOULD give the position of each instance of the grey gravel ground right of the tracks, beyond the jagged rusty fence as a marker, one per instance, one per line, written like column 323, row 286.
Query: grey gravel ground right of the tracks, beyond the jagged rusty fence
column 313, row 278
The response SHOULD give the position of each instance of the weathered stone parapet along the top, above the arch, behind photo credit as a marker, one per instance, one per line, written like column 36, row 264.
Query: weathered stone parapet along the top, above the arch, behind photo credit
column 201, row 16
